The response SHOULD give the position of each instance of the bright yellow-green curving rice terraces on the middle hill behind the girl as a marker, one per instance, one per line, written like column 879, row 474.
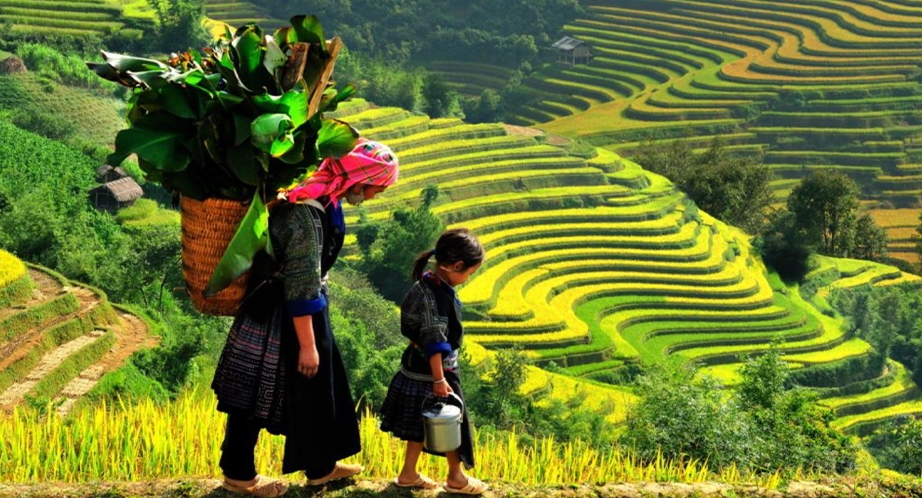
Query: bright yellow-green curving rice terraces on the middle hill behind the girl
column 594, row 264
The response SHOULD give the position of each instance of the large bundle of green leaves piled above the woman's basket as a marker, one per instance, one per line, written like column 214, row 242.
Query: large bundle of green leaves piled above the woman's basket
column 238, row 122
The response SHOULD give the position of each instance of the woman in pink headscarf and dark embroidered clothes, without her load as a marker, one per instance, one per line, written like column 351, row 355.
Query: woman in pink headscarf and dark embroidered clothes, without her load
column 281, row 369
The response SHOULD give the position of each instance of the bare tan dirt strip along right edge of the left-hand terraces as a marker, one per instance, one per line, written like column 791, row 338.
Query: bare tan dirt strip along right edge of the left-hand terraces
column 131, row 334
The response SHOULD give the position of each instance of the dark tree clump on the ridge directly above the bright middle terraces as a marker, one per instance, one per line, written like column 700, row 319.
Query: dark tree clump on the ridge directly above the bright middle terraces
column 733, row 189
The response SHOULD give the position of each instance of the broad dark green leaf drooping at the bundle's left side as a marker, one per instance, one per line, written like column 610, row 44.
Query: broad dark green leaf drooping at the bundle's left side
column 161, row 149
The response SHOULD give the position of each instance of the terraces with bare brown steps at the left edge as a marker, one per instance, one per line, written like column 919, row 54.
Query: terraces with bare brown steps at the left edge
column 58, row 338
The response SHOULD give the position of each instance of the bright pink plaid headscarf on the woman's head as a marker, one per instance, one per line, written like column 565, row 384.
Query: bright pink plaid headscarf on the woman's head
column 369, row 163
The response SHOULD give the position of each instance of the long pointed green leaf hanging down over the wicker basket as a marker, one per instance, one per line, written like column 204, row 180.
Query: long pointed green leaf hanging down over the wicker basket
column 252, row 236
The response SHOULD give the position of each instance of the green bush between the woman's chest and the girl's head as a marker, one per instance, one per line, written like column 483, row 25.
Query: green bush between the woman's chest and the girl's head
column 390, row 248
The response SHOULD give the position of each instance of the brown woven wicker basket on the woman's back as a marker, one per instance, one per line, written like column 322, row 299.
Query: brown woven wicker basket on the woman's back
column 207, row 229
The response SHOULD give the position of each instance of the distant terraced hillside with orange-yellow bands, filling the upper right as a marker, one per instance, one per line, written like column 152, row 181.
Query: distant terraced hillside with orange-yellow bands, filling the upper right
column 808, row 84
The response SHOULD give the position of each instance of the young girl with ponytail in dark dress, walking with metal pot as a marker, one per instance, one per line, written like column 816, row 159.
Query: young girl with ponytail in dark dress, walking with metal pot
column 430, row 316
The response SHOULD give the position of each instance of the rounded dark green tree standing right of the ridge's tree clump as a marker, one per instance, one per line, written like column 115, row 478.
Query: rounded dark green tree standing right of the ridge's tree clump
column 825, row 206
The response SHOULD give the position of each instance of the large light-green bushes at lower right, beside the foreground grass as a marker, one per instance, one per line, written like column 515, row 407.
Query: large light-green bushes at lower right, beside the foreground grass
column 765, row 426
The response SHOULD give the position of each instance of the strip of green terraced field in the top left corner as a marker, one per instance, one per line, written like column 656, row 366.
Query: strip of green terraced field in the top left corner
column 102, row 18
